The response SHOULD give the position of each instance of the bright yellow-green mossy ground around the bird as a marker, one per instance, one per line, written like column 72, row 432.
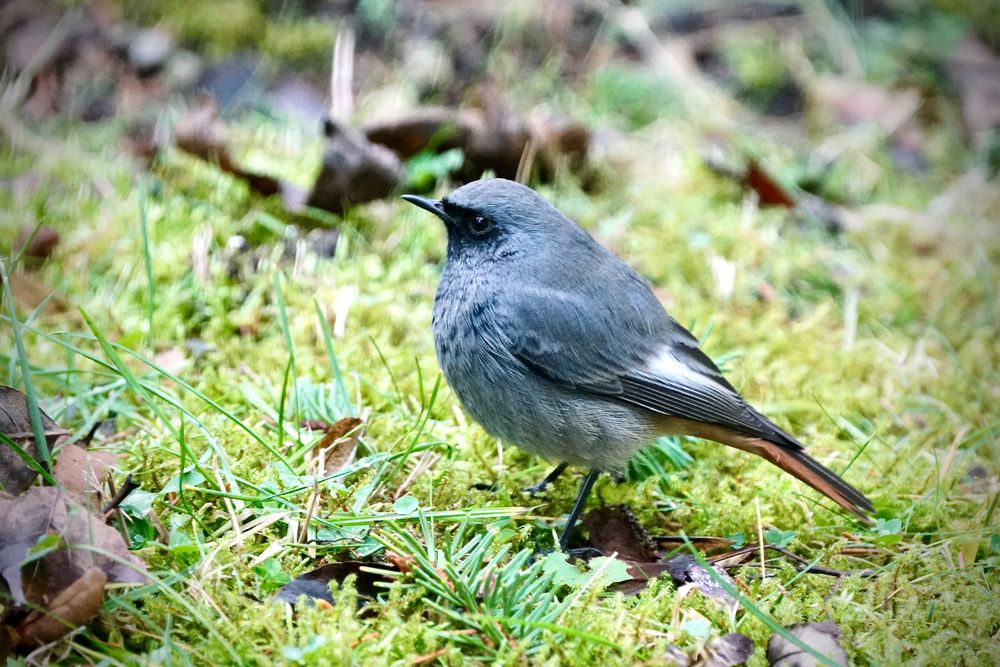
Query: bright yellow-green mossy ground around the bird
column 876, row 346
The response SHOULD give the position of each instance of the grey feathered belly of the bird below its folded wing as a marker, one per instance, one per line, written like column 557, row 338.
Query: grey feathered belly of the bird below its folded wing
column 524, row 409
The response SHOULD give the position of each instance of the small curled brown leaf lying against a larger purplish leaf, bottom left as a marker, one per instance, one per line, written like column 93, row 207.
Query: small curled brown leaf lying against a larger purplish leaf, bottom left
column 72, row 607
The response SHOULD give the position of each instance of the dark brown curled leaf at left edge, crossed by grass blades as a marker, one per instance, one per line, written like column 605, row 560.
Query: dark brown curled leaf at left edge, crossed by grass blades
column 15, row 423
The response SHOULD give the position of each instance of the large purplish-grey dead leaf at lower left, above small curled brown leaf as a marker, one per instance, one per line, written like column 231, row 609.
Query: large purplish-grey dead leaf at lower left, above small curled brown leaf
column 48, row 511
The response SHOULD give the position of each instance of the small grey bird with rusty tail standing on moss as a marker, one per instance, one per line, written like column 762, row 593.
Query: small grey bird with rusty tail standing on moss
column 554, row 344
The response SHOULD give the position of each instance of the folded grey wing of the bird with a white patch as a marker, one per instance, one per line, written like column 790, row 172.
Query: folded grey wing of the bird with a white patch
column 628, row 349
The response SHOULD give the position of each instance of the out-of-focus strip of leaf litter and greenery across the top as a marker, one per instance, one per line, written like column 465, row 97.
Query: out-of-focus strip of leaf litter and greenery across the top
column 835, row 91
